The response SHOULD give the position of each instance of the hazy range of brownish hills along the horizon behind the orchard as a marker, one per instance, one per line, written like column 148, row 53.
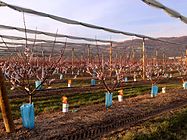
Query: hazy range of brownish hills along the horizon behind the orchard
column 127, row 48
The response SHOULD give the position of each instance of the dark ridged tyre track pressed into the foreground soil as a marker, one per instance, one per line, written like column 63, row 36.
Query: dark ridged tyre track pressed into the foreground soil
column 104, row 129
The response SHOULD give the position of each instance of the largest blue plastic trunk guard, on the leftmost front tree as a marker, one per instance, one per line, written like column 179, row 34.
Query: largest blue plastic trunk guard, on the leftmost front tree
column 27, row 115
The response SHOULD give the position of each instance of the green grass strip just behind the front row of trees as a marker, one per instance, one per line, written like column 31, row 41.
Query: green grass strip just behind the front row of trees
column 42, row 104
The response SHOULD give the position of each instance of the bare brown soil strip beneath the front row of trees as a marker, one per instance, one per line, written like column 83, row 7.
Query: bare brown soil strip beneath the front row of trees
column 58, row 125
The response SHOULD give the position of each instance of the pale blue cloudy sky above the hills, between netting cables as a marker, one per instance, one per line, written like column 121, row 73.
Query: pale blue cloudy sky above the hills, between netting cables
column 125, row 15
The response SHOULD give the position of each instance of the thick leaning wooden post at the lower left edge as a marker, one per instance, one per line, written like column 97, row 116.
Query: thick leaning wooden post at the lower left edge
column 5, row 107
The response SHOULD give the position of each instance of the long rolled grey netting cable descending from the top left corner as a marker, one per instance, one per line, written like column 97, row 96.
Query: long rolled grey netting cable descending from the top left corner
column 74, row 22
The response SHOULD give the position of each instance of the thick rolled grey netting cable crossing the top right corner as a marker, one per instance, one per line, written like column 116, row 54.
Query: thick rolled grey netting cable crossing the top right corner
column 169, row 11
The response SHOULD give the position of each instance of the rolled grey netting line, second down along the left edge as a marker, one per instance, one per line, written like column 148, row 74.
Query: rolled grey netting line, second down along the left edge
column 53, row 35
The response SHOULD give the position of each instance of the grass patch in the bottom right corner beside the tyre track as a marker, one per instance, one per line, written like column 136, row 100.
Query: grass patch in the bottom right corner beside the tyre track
column 165, row 128
